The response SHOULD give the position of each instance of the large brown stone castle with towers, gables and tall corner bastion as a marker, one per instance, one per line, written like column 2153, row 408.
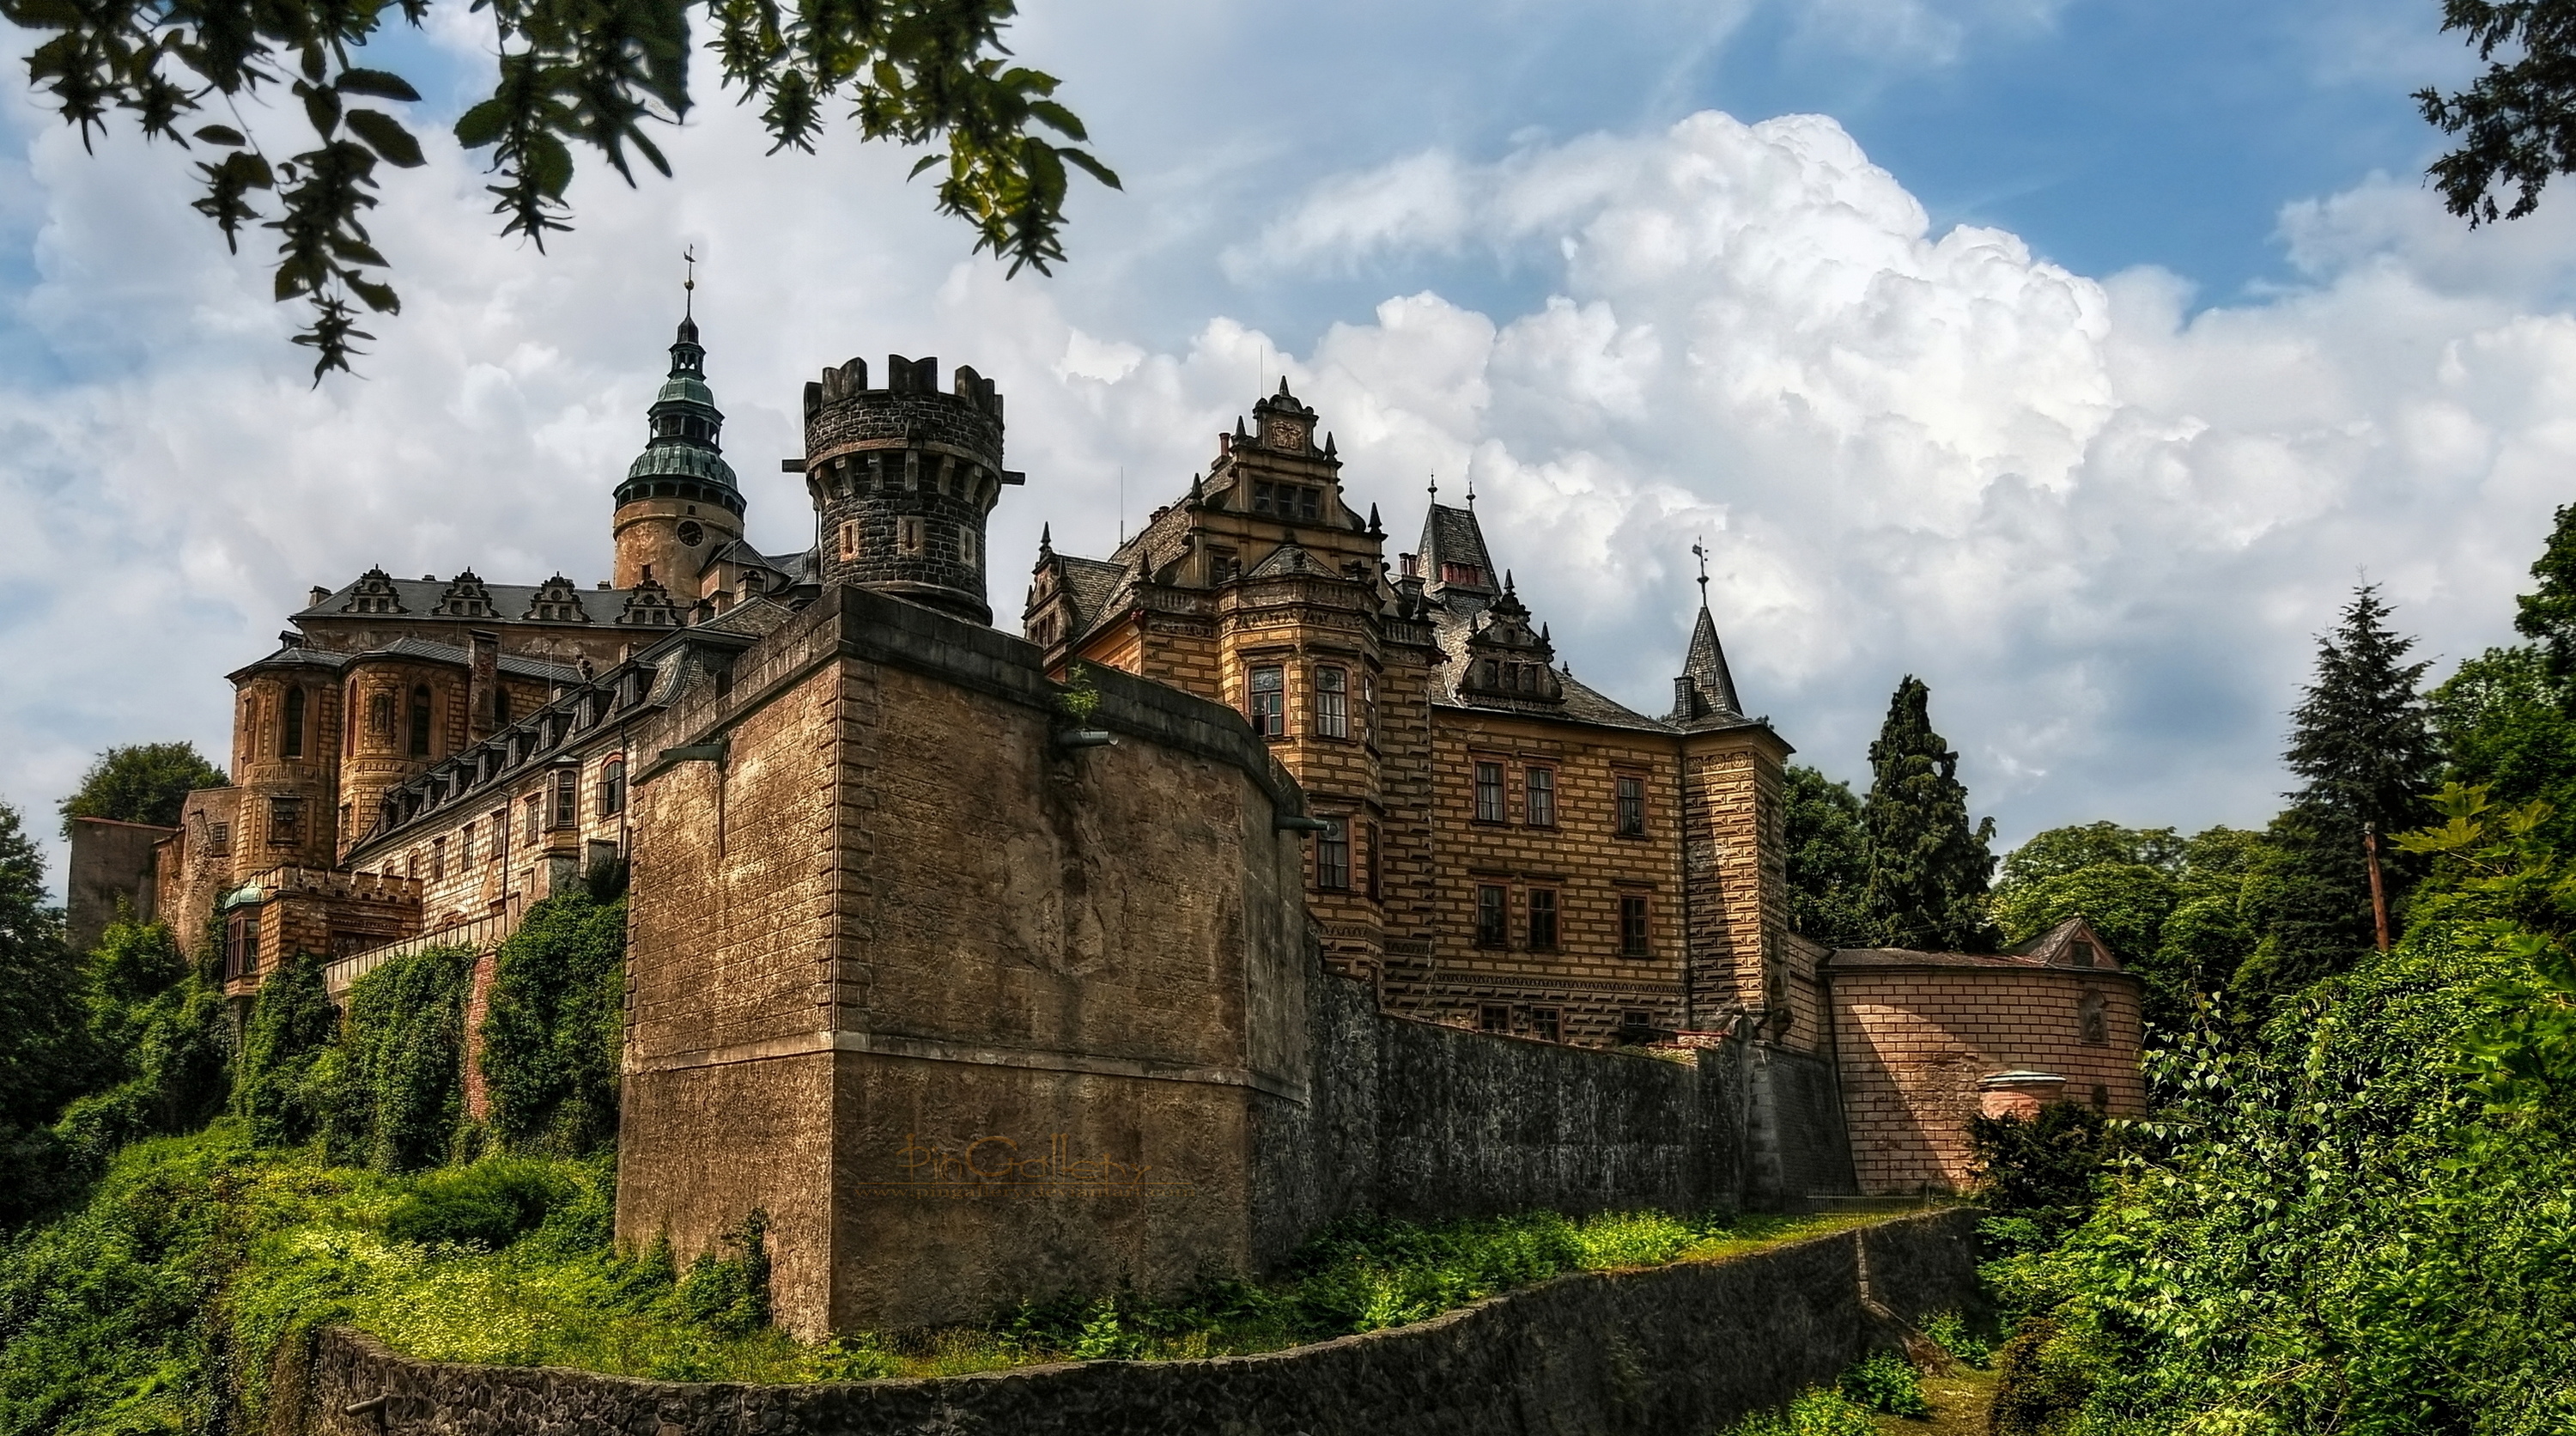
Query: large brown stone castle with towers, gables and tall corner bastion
column 1248, row 808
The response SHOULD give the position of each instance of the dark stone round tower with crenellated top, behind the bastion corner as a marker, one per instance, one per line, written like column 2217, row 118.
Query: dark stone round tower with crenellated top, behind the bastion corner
column 903, row 481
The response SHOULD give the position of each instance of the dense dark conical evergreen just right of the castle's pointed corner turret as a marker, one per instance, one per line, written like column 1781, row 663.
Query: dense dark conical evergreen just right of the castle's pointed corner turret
column 1928, row 862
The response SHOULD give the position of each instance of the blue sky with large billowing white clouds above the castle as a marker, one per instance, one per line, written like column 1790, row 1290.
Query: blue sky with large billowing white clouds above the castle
column 2078, row 357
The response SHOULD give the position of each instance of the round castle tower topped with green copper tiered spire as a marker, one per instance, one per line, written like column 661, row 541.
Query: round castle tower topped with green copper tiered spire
column 679, row 501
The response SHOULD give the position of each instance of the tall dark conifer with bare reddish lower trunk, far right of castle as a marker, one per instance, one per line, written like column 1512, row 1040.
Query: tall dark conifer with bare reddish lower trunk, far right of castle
column 2366, row 752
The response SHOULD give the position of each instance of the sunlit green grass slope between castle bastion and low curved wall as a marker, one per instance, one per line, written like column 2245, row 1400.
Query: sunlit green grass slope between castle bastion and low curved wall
column 161, row 1301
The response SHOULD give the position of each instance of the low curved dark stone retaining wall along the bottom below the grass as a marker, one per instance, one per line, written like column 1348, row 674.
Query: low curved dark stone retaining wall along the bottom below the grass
column 1665, row 1352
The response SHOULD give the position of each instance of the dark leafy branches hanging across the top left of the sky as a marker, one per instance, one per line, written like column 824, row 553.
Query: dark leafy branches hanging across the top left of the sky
column 565, row 73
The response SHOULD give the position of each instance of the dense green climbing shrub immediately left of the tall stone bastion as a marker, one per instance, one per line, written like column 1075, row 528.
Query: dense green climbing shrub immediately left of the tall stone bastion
column 555, row 1027
